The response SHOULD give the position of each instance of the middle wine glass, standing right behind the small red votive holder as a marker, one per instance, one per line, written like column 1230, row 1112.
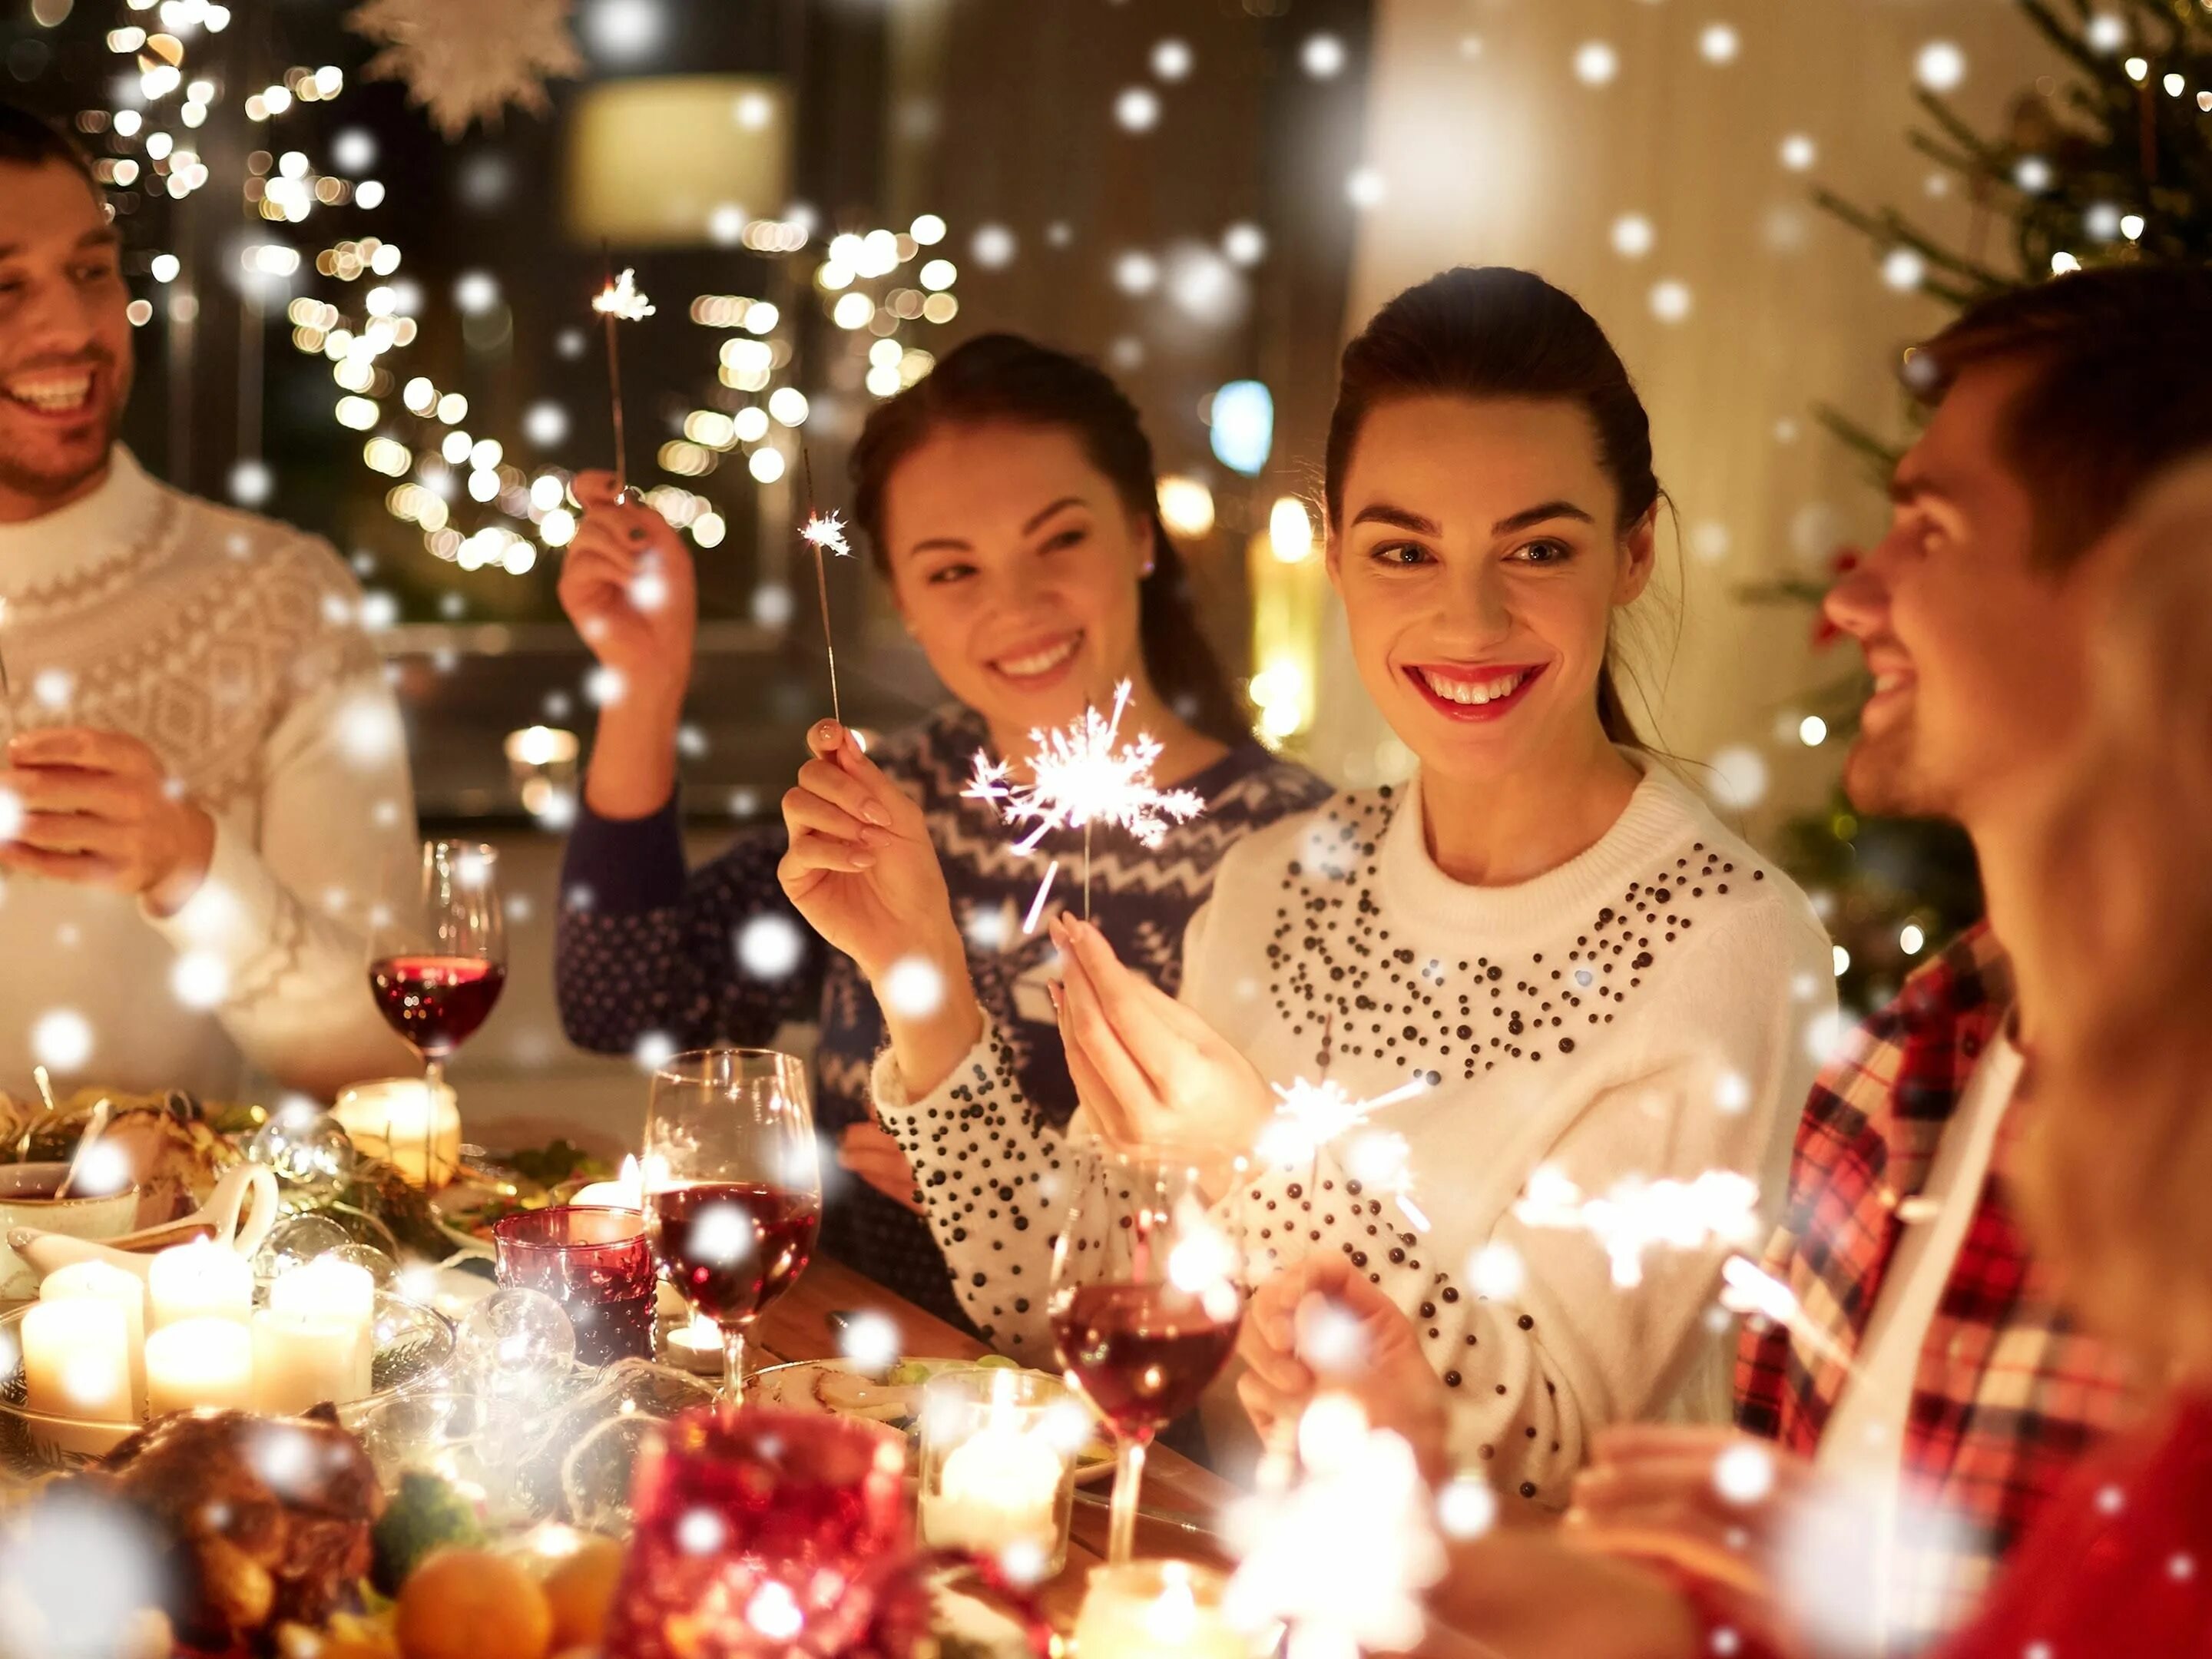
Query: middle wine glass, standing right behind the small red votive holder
column 733, row 1187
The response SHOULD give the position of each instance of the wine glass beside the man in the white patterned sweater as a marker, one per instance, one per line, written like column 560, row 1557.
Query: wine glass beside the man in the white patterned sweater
column 439, row 957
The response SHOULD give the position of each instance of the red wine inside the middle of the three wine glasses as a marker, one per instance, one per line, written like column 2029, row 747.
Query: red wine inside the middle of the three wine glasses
column 733, row 1246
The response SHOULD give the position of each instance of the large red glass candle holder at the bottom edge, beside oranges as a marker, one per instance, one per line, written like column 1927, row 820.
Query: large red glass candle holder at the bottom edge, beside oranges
column 762, row 1534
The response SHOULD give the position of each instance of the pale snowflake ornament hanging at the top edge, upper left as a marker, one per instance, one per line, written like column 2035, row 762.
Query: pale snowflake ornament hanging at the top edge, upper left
column 470, row 61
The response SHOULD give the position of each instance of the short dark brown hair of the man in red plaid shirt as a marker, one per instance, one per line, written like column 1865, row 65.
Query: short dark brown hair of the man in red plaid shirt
column 2118, row 395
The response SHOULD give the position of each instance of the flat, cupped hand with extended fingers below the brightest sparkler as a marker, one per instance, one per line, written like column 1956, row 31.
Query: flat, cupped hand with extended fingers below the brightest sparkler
column 1149, row 1067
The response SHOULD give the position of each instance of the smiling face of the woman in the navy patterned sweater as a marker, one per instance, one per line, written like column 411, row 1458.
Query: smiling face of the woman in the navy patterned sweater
column 1016, row 565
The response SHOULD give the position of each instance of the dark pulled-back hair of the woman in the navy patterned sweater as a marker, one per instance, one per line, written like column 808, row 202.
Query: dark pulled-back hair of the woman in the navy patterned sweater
column 1005, row 377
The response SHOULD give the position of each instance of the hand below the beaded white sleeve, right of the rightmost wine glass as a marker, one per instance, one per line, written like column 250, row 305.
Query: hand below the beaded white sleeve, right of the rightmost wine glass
column 1322, row 1326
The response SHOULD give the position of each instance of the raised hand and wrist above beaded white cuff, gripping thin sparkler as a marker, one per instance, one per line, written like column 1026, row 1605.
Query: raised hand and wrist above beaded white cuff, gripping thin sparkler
column 866, row 875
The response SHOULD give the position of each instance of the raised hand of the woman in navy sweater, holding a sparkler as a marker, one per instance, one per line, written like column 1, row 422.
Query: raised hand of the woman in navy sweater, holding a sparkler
column 629, row 587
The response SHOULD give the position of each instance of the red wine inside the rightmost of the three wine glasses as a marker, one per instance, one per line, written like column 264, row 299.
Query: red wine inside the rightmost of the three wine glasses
column 1142, row 1355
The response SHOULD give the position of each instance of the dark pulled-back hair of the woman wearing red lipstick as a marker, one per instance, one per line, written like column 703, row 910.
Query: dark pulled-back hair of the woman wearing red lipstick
column 1499, row 333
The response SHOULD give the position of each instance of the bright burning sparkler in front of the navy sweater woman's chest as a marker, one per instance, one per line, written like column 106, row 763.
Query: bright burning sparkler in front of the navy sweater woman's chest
column 1083, row 775
